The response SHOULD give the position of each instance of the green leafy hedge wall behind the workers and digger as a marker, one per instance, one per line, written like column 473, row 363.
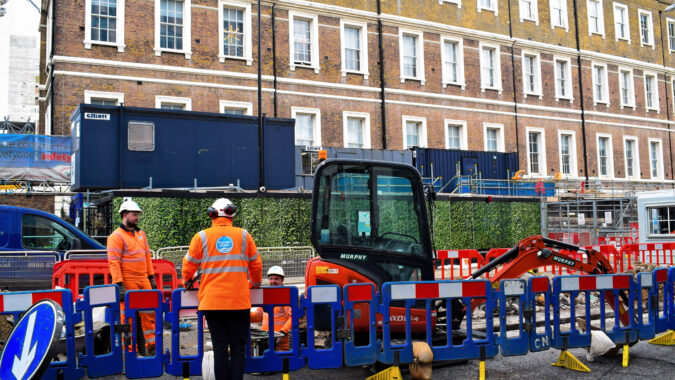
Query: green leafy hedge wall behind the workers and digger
column 277, row 222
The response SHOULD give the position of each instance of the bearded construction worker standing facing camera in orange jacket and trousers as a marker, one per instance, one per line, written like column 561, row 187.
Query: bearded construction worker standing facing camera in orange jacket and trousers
column 130, row 262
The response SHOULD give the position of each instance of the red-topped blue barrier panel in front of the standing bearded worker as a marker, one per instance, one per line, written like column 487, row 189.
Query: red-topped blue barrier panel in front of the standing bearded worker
column 138, row 366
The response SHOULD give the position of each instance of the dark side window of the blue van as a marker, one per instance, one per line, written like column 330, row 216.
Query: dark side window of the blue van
column 42, row 233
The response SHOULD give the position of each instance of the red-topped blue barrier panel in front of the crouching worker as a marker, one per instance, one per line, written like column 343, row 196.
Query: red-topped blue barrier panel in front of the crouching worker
column 272, row 360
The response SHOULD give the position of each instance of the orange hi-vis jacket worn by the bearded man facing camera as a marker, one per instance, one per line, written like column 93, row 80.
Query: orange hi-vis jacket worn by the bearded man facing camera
column 129, row 255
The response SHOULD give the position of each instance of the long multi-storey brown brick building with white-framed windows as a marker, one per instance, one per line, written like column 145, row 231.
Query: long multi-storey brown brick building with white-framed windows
column 578, row 87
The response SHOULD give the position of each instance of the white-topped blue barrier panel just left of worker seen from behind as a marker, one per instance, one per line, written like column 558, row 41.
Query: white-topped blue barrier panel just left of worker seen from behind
column 184, row 300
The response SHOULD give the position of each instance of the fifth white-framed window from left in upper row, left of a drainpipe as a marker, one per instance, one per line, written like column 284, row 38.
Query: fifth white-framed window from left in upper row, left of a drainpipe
column 354, row 52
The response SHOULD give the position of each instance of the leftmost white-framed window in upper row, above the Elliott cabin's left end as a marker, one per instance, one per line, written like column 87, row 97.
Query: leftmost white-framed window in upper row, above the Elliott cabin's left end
column 104, row 23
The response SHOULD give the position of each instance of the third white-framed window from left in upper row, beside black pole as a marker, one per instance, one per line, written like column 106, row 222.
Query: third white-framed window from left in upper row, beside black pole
column 234, row 30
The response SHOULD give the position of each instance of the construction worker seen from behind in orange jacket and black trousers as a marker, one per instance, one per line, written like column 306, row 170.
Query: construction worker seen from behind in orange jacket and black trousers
column 230, row 266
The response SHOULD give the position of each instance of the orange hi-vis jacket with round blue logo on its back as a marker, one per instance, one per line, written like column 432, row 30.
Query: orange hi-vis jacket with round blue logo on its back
column 230, row 266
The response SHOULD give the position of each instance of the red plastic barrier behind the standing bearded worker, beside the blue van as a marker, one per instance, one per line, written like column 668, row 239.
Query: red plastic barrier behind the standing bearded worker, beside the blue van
column 78, row 274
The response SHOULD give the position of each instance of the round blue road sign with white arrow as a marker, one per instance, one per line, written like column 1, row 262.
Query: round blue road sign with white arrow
column 30, row 346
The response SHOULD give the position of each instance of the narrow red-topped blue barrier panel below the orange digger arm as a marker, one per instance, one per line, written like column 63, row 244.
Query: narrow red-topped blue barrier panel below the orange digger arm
column 540, row 286
